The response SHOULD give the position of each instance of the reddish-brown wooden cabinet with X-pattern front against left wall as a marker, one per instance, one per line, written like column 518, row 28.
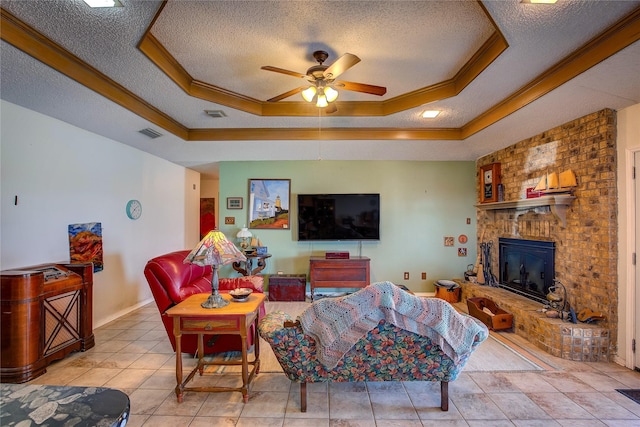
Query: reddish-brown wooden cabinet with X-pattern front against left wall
column 46, row 314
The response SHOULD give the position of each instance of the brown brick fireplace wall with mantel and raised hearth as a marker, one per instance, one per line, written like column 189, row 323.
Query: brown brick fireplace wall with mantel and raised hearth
column 585, row 241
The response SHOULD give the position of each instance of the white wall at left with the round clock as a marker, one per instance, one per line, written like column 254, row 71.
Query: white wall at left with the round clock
column 65, row 175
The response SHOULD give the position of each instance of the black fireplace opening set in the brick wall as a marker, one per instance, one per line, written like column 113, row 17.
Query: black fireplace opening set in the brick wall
column 527, row 267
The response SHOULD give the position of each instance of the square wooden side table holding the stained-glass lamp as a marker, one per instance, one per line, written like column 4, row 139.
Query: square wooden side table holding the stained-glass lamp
column 236, row 318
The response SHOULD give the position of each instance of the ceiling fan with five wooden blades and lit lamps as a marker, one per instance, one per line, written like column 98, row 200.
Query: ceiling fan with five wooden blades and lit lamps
column 322, row 89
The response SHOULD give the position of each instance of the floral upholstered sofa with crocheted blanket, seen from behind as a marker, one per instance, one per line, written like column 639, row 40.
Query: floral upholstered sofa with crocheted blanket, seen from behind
column 395, row 338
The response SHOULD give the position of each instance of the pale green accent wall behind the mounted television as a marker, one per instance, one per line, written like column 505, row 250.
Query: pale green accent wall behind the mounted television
column 421, row 203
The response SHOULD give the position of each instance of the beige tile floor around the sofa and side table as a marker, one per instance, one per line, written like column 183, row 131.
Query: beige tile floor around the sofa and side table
column 133, row 354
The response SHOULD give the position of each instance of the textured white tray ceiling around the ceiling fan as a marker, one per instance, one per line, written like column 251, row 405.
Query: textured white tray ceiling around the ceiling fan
column 406, row 46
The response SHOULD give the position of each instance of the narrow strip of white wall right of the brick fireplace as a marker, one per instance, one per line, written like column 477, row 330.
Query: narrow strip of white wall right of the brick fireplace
column 628, row 143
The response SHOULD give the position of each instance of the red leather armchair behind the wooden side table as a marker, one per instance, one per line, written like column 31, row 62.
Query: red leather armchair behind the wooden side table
column 171, row 281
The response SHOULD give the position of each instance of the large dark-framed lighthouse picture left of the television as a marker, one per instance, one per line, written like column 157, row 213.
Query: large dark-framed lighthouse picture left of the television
column 269, row 203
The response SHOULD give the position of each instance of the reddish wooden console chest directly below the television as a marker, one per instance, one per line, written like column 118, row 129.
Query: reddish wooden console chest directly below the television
column 338, row 273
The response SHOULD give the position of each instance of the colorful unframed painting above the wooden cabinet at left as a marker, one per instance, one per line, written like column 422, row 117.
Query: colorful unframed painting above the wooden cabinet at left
column 85, row 244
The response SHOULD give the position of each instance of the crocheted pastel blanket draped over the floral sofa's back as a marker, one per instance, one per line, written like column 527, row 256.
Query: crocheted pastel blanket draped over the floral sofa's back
column 336, row 324
